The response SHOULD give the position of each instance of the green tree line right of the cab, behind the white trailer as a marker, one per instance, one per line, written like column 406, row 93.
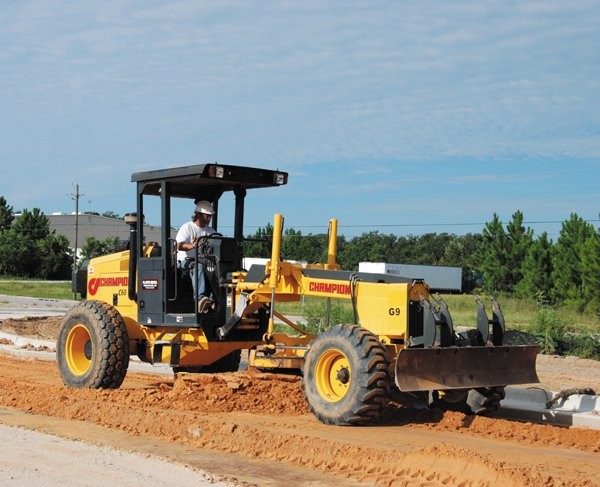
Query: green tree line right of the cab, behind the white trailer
column 502, row 258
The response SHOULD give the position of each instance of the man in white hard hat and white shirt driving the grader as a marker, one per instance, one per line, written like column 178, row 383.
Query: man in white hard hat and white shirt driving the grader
column 188, row 238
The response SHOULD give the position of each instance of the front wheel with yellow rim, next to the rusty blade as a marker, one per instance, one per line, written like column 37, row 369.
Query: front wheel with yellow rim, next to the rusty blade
column 346, row 376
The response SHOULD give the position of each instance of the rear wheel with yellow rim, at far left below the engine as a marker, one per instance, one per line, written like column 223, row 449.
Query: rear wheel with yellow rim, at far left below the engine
column 93, row 347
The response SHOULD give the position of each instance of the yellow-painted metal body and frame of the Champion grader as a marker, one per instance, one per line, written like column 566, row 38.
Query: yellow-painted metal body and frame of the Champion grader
column 382, row 308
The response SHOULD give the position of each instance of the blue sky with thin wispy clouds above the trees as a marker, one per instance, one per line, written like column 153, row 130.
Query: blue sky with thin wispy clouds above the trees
column 402, row 117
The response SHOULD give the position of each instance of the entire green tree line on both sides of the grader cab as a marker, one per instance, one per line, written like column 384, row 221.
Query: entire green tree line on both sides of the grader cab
column 502, row 258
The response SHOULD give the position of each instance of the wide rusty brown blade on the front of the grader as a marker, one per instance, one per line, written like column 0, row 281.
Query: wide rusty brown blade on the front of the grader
column 425, row 369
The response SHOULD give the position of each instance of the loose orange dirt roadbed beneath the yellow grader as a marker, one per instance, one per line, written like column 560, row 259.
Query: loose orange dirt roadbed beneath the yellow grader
column 255, row 429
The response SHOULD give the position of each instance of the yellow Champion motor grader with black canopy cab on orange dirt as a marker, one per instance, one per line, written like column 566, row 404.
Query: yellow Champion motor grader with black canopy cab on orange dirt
column 139, row 301
